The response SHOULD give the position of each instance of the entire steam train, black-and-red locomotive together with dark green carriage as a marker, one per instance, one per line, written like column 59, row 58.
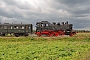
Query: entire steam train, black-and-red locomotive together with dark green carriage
column 42, row 28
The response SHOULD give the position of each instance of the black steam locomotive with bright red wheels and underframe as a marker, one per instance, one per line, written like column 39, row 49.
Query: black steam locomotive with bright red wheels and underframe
column 54, row 29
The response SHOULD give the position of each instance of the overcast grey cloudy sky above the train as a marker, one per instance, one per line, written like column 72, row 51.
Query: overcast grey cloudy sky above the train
column 76, row 12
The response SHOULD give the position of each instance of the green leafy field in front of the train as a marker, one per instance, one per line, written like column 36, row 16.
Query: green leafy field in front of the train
column 46, row 48
